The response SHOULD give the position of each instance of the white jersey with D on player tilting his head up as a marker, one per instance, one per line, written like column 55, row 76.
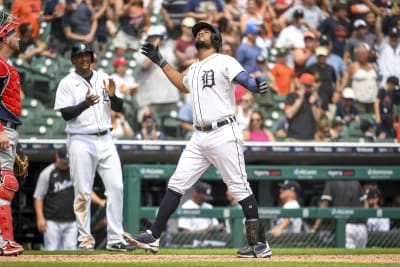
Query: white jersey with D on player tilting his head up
column 211, row 89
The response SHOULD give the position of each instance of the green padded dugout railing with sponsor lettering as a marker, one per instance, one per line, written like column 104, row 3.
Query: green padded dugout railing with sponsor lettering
column 134, row 212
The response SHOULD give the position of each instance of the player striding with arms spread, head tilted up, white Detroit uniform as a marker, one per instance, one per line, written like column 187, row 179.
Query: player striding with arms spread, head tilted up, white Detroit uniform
column 217, row 138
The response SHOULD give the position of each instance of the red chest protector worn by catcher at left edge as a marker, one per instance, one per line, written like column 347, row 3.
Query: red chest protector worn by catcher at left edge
column 10, row 88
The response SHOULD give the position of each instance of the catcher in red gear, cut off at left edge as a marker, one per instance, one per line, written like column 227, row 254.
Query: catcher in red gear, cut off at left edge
column 10, row 110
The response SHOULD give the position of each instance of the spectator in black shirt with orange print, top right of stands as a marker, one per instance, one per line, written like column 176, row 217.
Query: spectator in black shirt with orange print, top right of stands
column 337, row 28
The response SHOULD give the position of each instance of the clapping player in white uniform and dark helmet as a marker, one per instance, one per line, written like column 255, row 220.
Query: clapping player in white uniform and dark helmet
column 84, row 98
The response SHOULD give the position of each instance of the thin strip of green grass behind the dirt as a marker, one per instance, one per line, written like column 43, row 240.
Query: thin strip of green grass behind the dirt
column 277, row 251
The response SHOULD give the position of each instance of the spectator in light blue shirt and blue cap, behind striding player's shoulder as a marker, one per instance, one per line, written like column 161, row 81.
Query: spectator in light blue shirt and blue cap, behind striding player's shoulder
column 248, row 51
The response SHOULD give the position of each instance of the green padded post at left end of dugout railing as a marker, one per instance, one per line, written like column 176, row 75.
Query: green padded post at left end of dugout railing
column 131, row 199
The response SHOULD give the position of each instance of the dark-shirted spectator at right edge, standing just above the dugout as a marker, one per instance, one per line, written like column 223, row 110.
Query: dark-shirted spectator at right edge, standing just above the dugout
column 385, row 117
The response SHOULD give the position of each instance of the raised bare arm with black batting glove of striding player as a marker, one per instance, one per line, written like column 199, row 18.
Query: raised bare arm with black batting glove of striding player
column 175, row 77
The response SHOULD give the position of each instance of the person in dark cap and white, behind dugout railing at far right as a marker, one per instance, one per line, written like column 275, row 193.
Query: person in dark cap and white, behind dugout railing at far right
column 374, row 197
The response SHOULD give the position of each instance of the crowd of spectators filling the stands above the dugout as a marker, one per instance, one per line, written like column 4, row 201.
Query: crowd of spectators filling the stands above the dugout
column 332, row 66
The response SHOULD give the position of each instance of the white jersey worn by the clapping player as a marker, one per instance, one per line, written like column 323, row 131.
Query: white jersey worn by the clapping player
column 72, row 91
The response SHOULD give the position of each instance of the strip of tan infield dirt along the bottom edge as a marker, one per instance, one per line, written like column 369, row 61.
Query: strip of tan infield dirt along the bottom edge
column 116, row 258
